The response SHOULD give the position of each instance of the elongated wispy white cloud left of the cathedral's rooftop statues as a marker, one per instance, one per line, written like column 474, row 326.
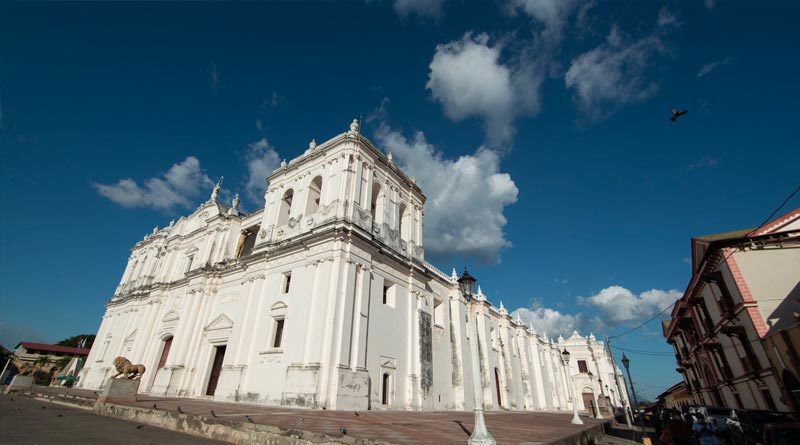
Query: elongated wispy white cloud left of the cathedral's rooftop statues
column 182, row 182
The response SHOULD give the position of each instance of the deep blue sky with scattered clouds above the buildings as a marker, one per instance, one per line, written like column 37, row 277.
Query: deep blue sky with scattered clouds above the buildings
column 576, row 196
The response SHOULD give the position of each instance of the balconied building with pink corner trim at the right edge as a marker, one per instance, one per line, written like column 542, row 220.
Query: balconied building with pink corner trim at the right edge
column 745, row 287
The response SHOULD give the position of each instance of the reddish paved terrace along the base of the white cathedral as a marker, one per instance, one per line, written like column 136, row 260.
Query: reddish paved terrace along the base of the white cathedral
column 393, row 426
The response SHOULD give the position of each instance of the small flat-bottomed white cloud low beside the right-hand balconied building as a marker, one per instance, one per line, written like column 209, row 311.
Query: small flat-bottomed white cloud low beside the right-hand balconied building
column 617, row 305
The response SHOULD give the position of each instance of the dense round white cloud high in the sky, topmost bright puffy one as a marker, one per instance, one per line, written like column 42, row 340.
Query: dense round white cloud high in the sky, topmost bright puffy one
column 468, row 78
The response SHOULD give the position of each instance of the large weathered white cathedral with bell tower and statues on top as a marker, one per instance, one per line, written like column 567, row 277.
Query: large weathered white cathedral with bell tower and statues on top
column 323, row 300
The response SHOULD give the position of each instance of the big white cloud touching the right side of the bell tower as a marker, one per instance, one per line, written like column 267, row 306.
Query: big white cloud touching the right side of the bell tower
column 466, row 196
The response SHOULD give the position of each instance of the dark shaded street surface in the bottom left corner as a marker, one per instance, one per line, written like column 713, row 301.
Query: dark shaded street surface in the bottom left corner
column 25, row 421
